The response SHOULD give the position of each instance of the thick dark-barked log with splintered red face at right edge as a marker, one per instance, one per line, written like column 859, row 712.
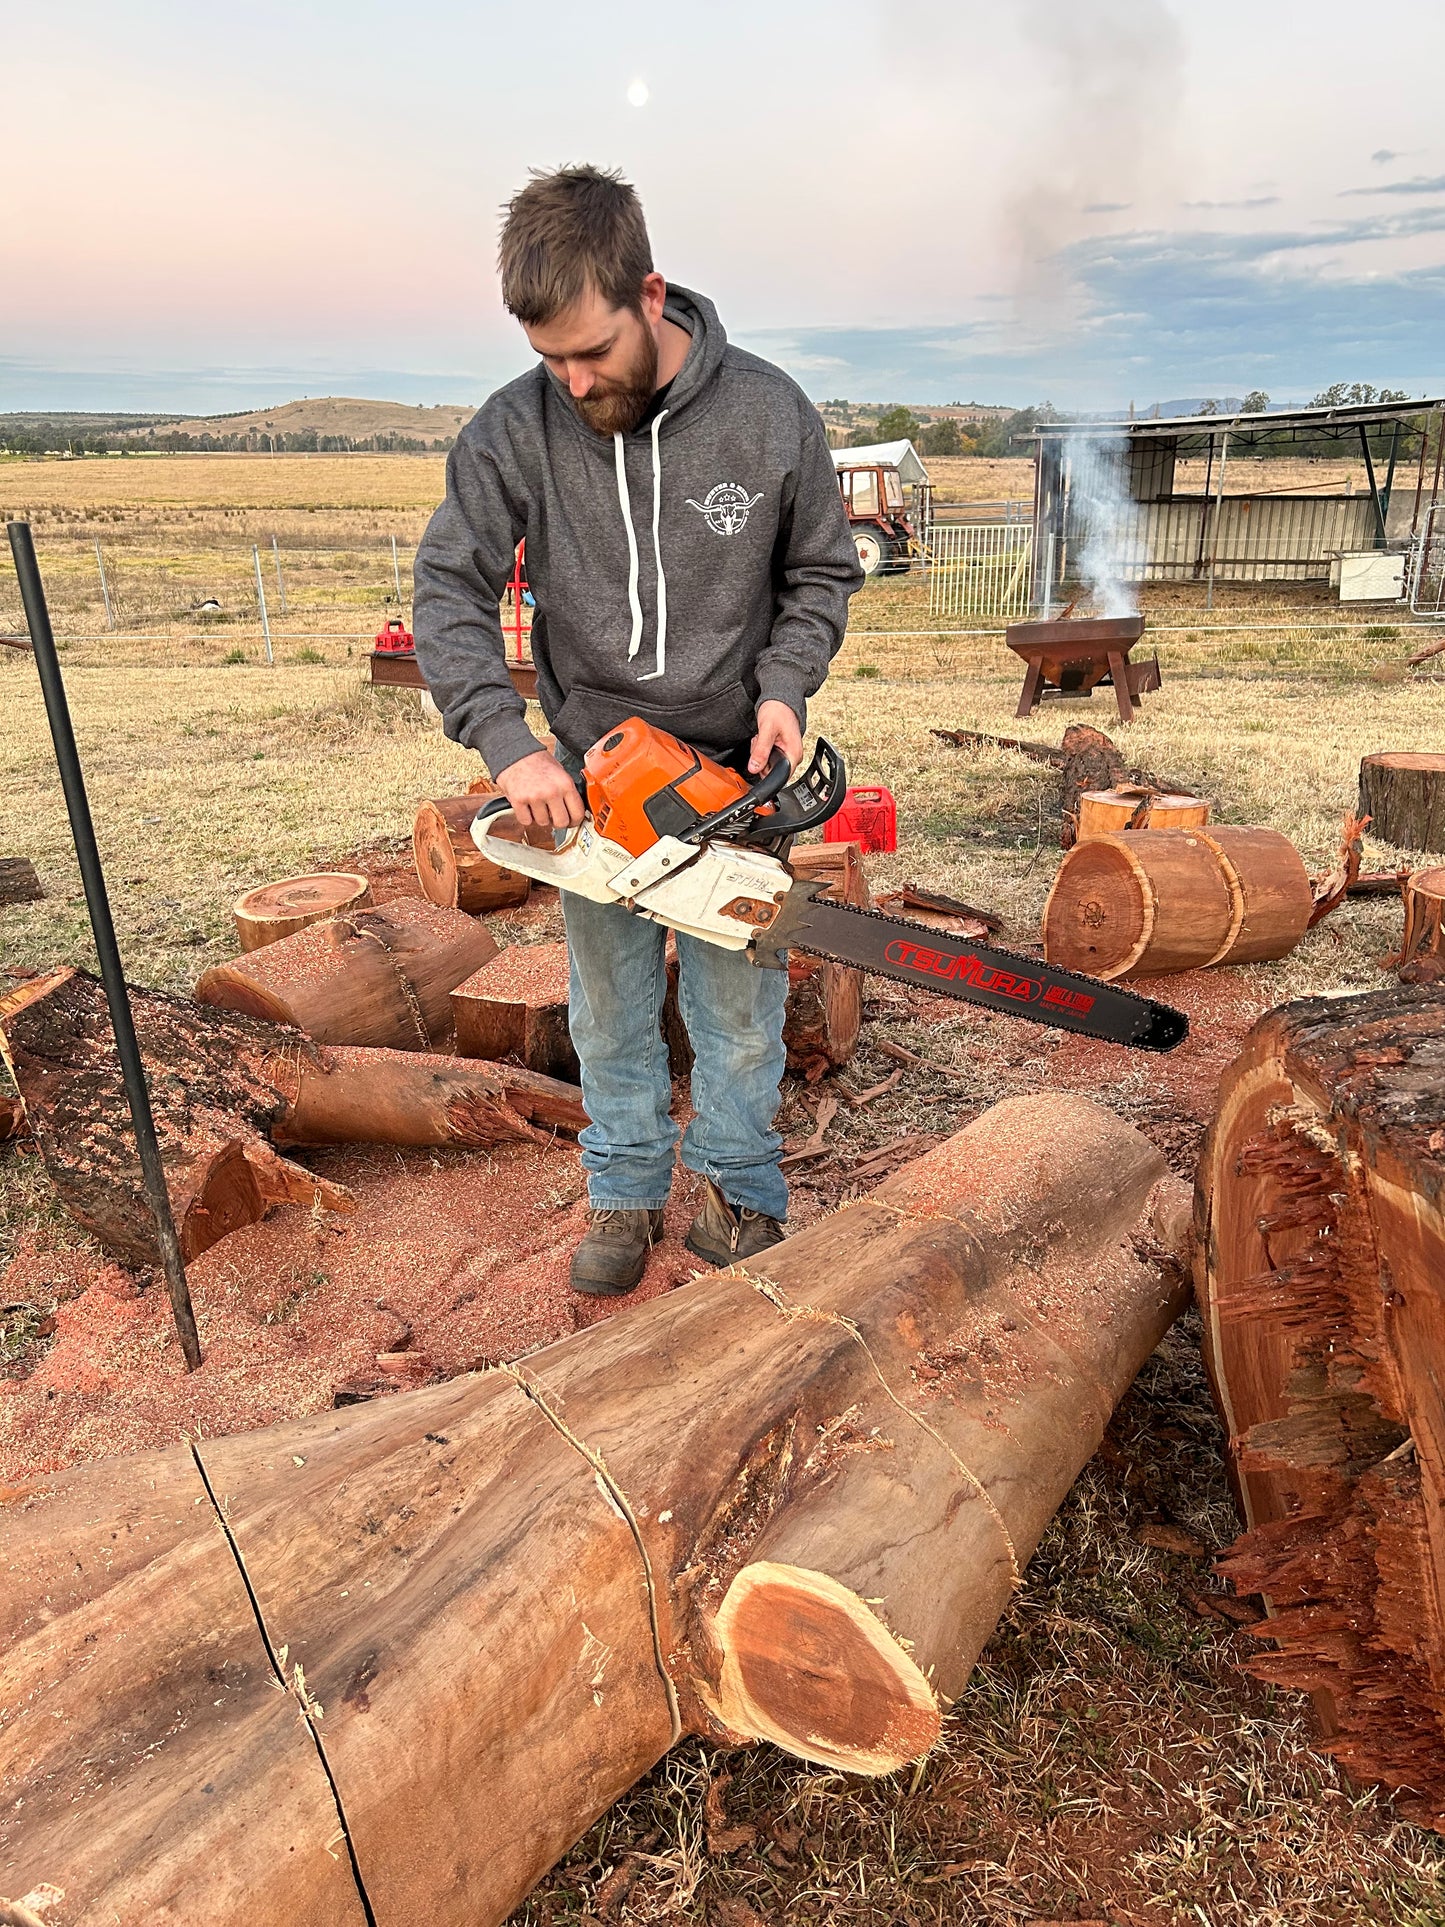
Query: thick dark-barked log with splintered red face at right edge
column 1321, row 1271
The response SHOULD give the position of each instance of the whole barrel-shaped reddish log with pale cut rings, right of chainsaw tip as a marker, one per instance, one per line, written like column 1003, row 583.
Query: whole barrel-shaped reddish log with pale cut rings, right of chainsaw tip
column 1149, row 903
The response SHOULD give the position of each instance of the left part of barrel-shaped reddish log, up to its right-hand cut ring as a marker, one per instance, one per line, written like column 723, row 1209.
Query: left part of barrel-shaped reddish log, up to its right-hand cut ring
column 1140, row 905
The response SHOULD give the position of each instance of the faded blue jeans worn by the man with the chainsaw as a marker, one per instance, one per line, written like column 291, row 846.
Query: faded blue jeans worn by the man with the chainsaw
column 733, row 1013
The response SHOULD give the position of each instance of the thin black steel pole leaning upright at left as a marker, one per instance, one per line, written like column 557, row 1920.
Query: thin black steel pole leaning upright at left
column 97, row 901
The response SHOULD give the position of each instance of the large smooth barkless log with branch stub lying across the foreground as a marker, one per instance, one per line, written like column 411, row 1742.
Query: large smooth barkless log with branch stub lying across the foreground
column 496, row 1602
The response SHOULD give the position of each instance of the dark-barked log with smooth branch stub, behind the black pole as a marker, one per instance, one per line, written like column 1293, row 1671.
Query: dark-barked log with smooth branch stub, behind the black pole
column 228, row 1092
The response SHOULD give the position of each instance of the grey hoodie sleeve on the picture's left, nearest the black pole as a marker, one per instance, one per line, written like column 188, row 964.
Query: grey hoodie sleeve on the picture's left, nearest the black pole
column 463, row 568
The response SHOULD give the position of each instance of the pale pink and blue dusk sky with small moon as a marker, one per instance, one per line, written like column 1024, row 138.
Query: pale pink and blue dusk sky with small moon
column 1082, row 201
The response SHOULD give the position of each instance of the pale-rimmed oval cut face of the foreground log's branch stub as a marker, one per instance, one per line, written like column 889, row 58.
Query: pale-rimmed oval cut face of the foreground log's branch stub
column 810, row 1668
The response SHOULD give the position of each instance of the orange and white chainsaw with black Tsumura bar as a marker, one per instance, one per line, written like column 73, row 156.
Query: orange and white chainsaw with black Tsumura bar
column 687, row 843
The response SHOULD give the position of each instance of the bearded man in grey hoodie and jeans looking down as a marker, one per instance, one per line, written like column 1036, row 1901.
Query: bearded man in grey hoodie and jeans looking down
column 693, row 566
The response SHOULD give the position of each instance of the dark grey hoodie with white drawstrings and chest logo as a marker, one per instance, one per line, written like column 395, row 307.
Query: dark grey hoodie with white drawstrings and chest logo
column 683, row 573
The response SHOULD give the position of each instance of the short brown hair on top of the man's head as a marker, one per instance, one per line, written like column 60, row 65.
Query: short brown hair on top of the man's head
column 571, row 232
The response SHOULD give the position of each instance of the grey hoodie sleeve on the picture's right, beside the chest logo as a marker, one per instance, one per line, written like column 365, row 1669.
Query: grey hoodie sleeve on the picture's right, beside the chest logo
column 818, row 573
